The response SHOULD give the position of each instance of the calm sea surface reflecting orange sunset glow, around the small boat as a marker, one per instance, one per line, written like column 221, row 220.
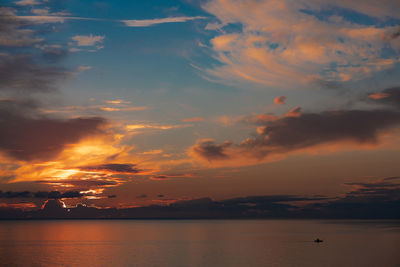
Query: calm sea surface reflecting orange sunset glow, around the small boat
column 199, row 243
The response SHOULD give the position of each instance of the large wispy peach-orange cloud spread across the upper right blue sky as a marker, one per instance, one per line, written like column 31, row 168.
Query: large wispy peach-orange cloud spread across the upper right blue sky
column 269, row 43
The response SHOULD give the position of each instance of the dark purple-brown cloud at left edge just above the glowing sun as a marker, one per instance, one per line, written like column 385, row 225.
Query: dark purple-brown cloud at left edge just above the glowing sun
column 37, row 137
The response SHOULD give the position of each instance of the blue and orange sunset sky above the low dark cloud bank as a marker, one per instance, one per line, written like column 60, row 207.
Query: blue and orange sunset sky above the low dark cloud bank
column 134, row 103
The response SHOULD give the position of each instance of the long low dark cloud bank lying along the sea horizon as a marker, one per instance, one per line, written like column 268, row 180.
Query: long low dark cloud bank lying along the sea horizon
column 367, row 200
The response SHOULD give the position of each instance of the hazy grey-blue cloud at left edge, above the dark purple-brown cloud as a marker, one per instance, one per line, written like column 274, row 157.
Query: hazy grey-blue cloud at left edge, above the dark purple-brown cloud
column 21, row 73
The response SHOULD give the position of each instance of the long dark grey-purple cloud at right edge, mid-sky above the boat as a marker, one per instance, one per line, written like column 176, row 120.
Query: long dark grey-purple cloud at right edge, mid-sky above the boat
column 311, row 129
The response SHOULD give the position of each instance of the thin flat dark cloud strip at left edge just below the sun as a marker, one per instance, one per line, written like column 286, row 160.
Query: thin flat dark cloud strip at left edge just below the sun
column 41, row 194
